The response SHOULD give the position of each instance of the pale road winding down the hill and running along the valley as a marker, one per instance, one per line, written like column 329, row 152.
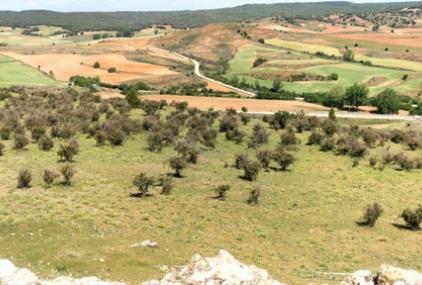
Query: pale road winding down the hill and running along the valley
column 346, row 115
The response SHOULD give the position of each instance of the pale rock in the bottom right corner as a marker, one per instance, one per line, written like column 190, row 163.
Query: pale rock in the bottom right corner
column 387, row 275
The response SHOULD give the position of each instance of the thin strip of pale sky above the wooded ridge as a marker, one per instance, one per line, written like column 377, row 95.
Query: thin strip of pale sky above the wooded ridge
column 132, row 5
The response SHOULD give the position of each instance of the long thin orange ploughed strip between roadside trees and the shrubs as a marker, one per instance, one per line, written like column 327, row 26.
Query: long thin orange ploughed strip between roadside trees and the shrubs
column 253, row 105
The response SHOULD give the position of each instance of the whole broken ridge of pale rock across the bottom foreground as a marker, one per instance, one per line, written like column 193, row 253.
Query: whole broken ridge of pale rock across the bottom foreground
column 223, row 269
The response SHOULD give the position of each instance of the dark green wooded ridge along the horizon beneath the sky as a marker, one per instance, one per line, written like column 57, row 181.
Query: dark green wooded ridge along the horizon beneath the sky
column 83, row 21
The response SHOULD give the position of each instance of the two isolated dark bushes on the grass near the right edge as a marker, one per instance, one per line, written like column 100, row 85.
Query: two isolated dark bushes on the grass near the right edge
column 372, row 212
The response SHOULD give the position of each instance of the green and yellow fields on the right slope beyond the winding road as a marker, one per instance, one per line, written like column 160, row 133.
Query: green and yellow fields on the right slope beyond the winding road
column 281, row 61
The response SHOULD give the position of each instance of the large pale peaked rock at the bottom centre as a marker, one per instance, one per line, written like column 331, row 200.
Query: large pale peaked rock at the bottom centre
column 223, row 269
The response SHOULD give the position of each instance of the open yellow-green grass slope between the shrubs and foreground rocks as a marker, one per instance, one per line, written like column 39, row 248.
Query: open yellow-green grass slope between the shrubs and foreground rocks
column 305, row 223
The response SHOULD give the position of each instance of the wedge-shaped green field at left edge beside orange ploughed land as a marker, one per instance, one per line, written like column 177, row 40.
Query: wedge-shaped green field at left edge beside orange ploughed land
column 13, row 72
